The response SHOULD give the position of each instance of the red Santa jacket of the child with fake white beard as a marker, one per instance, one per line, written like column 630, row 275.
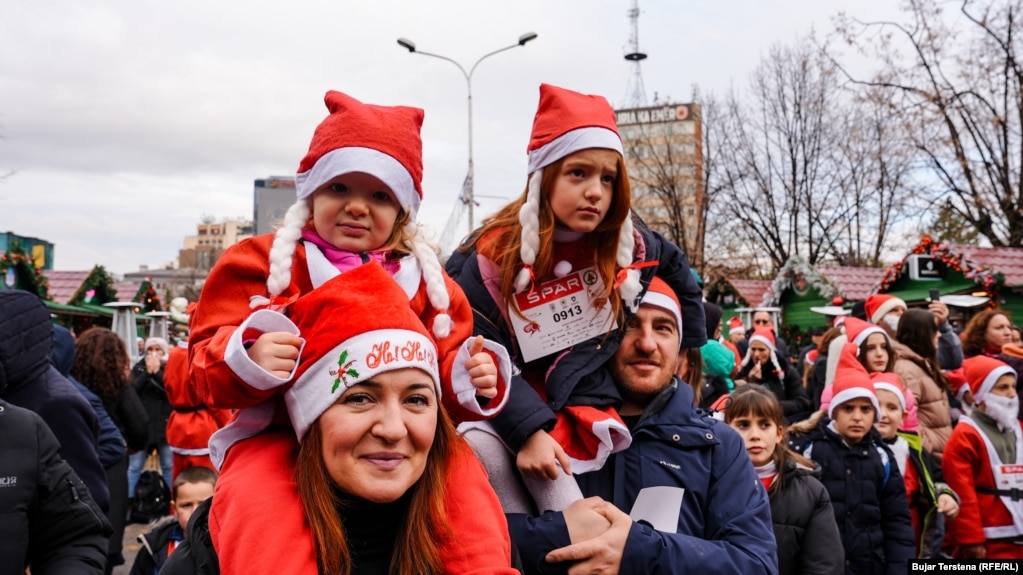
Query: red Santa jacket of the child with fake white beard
column 966, row 468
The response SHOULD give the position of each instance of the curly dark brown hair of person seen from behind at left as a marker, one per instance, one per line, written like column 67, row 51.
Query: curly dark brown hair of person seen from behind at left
column 102, row 363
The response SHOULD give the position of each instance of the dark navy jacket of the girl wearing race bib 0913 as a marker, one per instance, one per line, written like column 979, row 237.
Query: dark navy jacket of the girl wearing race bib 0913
column 579, row 376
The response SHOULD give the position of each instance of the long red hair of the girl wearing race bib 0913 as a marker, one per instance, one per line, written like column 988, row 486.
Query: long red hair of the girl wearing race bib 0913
column 505, row 232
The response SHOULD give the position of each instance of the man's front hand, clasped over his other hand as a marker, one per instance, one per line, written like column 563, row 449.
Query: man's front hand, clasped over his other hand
column 602, row 554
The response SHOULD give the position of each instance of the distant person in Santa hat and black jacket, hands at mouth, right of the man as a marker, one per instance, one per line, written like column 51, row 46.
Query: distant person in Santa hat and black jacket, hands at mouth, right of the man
column 763, row 367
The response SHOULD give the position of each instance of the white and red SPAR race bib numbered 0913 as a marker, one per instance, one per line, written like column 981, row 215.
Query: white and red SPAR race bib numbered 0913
column 561, row 314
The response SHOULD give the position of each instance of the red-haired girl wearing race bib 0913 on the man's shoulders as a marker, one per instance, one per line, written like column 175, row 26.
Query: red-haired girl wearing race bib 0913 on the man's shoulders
column 554, row 276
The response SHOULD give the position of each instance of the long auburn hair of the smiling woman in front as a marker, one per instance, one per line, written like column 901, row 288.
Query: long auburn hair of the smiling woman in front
column 416, row 550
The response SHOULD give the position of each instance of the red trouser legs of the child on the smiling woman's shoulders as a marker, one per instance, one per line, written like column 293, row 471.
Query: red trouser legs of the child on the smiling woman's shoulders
column 258, row 525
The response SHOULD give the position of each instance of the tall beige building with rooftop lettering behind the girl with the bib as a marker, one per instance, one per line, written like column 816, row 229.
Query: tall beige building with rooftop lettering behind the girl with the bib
column 664, row 157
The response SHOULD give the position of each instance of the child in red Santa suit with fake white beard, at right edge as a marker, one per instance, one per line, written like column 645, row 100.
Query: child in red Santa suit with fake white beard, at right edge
column 984, row 464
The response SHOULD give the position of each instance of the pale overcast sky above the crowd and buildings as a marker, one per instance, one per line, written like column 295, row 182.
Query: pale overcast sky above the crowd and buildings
column 124, row 122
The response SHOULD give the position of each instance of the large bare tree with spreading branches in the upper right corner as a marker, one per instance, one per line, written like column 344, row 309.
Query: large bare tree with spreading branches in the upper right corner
column 956, row 86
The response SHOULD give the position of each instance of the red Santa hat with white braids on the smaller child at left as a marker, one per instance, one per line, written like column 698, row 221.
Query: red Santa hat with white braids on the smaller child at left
column 382, row 142
